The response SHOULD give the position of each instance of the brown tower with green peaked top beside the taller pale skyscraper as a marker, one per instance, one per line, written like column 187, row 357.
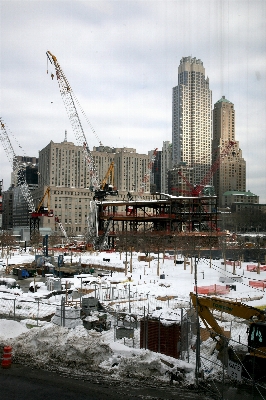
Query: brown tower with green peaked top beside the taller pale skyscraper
column 231, row 174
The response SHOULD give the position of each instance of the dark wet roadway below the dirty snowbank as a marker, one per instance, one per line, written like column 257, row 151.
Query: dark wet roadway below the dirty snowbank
column 24, row 383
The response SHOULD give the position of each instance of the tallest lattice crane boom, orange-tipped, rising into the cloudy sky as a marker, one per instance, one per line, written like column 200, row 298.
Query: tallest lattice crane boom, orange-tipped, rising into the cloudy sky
column 70, row 105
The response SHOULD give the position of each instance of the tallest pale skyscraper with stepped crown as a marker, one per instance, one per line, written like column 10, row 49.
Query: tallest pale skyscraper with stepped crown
column 192, row 118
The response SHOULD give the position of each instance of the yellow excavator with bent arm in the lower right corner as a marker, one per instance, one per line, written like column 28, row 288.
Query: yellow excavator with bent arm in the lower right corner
column 254, row 360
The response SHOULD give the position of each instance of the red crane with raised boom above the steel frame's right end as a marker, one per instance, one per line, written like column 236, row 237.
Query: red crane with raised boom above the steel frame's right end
column 197, row 190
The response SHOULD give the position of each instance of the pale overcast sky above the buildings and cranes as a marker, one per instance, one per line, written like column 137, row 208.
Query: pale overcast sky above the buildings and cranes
column 121, row 59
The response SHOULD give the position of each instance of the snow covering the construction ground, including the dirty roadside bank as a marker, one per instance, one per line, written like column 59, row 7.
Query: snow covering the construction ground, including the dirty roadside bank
column 158, row 288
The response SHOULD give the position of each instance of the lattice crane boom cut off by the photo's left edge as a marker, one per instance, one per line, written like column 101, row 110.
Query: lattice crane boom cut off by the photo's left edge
column 4, row 138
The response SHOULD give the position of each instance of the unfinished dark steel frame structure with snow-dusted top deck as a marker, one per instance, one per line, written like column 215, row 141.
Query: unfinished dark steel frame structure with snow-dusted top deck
column 191, row 216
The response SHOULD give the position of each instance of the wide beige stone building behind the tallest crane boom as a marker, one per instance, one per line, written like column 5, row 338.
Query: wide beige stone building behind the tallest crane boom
column 63, row 168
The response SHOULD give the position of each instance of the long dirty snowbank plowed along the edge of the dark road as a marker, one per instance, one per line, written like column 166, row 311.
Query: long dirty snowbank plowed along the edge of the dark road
column 79, row 350
